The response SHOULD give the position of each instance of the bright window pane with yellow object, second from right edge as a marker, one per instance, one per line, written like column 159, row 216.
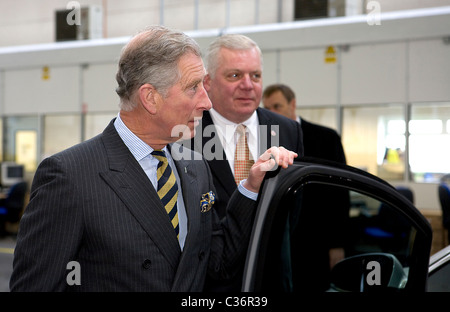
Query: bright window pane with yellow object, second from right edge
column 374, row 139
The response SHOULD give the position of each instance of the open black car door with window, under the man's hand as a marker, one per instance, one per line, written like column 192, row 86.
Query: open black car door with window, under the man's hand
column 323, row 226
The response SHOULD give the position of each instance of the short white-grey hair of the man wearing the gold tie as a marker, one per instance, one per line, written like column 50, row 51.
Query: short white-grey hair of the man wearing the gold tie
column 228, row 41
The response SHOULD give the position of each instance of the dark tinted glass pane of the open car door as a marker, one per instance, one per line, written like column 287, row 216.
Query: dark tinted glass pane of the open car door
column 321, row 225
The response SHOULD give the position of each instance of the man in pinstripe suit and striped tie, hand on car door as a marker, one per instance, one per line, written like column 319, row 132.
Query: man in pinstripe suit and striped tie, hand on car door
column 130, row 210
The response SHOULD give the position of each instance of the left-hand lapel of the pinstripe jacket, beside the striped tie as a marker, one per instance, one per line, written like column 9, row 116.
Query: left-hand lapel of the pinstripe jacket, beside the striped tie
column 133, row 187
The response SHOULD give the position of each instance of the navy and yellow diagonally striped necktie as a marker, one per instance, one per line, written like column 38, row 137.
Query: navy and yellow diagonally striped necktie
column 167, row 188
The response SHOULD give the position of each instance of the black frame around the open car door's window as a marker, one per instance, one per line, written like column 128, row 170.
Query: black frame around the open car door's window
column 277, row 184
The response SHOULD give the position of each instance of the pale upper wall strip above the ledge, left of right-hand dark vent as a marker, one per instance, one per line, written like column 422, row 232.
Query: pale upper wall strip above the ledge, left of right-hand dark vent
column 25, row 22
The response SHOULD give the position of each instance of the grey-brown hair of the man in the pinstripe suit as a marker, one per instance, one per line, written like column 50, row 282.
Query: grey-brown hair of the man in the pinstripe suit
column 151, row 57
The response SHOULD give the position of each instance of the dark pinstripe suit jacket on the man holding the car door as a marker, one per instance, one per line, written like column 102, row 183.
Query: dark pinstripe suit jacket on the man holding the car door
column 93, row 204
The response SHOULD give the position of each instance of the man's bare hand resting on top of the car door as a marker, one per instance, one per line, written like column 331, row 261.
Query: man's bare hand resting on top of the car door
column 270, row 160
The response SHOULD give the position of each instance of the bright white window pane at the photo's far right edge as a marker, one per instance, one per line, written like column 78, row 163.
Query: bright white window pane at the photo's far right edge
column 429, row 141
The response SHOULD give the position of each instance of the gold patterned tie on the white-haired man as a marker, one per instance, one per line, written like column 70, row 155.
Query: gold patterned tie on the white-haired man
column 243, row 160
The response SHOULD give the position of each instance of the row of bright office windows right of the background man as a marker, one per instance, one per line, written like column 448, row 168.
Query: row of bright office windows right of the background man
column 387, row 140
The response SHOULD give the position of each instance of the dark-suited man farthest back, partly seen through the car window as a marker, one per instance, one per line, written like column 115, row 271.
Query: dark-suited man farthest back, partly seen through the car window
column 321, row 232
